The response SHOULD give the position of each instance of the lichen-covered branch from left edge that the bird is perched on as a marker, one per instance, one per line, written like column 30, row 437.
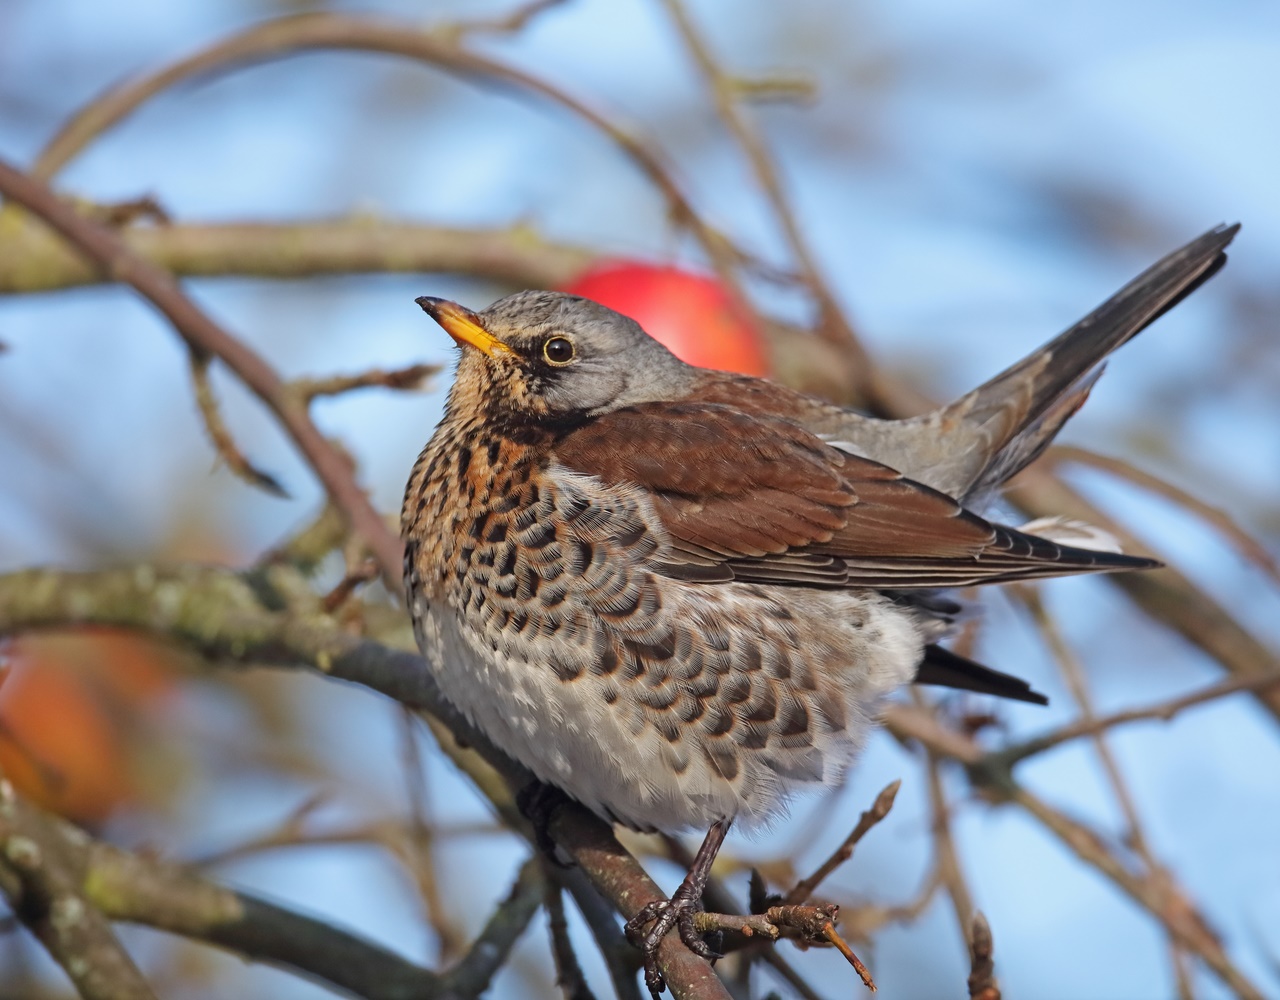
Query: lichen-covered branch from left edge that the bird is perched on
column 218, row 614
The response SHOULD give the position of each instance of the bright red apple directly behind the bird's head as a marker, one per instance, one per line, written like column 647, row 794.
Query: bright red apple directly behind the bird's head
column 691, row 314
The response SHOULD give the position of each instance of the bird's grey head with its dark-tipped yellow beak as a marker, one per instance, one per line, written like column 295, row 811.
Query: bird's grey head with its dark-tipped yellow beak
column 555, row 355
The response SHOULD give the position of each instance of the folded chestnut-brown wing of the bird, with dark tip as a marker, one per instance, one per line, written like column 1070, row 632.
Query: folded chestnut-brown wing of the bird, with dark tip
column 756, row 497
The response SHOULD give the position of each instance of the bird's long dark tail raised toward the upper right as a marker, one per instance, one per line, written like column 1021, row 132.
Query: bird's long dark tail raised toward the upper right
column 1026, row 407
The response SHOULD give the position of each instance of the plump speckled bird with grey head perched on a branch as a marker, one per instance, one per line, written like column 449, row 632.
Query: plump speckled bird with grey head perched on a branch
column 680, row 596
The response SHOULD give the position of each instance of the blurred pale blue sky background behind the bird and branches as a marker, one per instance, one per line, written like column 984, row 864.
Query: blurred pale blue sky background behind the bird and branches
column 971, row 180
